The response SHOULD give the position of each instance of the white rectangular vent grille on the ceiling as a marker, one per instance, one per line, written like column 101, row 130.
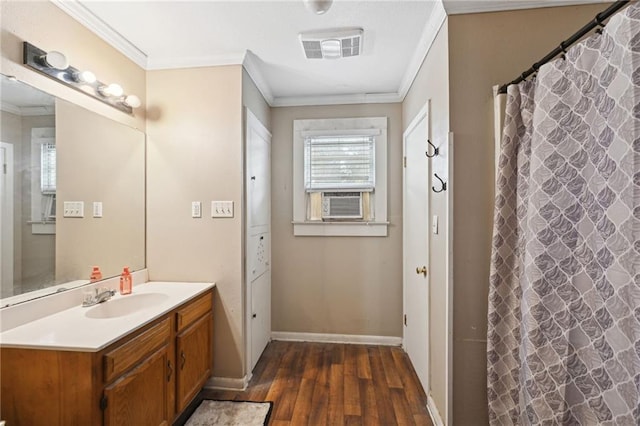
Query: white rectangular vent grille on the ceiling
column 332, row 44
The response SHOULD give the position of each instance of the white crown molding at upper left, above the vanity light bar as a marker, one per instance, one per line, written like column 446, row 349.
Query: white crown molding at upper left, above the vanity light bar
column 85, row 17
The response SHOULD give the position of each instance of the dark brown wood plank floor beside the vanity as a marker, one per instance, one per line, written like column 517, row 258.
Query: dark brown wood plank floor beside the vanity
column 335, row 384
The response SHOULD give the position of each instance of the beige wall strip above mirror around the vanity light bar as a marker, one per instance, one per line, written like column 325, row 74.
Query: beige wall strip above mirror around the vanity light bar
column 46, row 26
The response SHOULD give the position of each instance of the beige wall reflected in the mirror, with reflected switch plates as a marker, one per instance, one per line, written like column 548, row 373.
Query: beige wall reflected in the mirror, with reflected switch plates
column 93, row 150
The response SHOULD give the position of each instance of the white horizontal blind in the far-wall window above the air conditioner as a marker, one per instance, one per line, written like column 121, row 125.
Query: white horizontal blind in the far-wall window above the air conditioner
column 339, row 163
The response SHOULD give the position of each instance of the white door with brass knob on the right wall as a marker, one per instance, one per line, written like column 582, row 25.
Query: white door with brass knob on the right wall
column 416, row 246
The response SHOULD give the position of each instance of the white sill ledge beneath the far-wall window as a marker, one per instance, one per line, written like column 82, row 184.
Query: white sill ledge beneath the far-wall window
column 340, row 229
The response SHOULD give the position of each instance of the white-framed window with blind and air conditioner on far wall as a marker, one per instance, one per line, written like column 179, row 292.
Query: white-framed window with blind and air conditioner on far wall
column 340, row 177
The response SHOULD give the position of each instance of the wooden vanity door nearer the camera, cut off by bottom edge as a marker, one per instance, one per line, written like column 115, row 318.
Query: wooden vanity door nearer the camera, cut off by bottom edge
column 140, row 397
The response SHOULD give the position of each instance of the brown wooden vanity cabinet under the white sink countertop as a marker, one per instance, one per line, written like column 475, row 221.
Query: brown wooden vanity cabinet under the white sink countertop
column 146, row 378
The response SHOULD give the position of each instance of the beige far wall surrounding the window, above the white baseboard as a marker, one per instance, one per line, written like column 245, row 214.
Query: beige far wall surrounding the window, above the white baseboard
column 338, row 285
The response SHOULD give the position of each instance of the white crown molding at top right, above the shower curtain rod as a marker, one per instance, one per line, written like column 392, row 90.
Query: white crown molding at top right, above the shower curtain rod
column 456, row 7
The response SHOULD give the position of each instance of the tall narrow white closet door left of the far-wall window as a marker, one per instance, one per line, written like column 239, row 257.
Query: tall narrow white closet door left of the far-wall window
column 258, row 243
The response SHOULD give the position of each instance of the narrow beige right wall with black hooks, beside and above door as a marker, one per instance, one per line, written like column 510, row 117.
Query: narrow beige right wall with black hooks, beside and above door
column 431, row 85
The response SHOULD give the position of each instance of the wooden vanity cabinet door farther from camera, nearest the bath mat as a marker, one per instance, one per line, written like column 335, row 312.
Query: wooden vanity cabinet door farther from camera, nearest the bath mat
column 193, row 360
